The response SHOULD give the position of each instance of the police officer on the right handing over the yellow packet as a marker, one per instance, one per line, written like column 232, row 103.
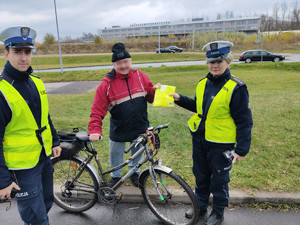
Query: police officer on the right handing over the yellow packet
column 222, row 122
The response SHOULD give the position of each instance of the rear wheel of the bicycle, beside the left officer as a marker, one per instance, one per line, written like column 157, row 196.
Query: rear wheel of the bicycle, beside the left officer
column 70, row 199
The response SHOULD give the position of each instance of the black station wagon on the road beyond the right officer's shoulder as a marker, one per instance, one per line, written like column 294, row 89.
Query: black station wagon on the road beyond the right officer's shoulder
column 257, row 55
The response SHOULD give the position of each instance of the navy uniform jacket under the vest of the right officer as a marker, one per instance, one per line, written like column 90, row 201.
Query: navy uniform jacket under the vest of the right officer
column 239, row 110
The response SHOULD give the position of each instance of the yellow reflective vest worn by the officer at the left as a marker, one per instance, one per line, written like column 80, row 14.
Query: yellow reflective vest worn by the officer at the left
column 21, row 145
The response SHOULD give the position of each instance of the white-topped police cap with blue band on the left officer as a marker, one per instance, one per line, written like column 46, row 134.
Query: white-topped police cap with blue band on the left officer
column 18, row 37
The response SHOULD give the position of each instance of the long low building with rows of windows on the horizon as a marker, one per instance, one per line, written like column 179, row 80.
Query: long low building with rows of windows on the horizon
column 248, row 25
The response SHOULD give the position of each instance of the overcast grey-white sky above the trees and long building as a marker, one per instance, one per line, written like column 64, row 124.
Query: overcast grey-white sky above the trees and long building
column 76, row 17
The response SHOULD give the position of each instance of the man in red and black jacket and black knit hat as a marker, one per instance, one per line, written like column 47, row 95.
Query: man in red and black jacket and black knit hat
column 124, row 92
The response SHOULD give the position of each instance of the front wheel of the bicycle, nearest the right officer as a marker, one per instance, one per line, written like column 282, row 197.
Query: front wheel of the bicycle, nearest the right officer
column 179, row 199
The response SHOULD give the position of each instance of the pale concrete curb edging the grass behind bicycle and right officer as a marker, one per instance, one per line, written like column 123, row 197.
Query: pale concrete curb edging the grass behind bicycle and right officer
column 237, row 197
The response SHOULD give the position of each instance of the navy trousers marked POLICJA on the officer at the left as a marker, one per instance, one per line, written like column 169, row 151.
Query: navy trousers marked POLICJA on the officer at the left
column 36, row 195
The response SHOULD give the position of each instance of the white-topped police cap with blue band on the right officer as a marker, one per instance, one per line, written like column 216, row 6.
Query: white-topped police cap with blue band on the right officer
column 217, row 51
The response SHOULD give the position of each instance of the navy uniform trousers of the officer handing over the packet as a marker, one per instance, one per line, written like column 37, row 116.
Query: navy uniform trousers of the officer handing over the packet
column 211, row 171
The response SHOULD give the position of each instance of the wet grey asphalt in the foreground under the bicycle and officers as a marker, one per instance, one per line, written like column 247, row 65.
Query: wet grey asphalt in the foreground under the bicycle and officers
column 140, row 214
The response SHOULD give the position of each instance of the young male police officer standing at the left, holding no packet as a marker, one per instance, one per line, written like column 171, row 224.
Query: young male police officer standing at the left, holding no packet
column 27, row 135
